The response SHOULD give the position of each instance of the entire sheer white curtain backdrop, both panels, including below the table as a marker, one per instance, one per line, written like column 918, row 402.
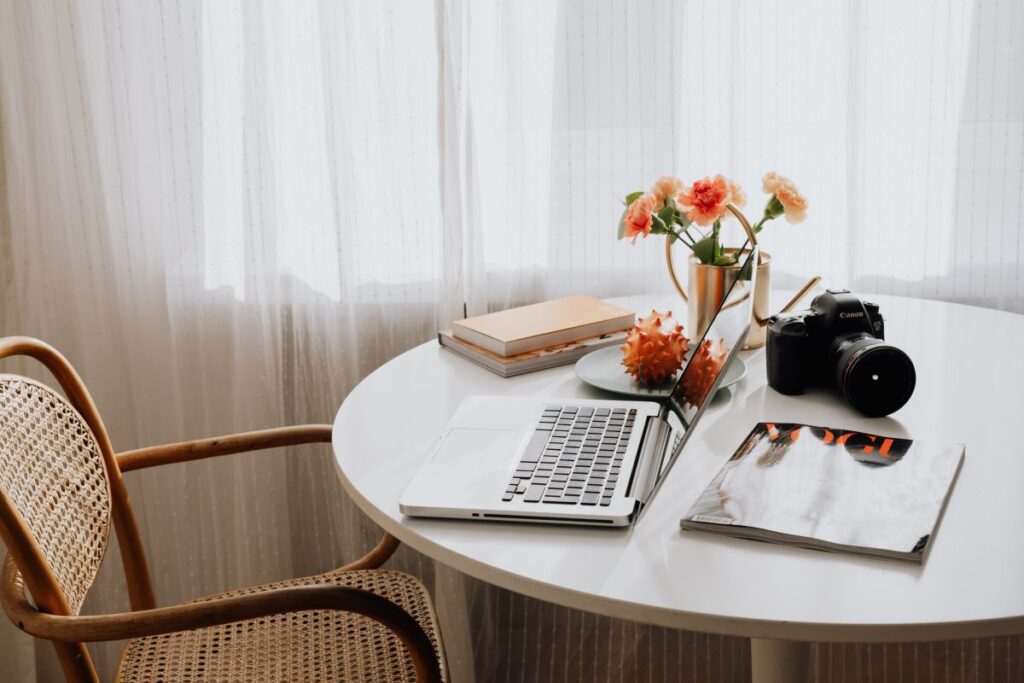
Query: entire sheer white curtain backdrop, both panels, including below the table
column 228, row 214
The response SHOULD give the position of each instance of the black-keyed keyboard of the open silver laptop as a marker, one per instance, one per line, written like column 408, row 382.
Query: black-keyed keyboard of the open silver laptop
column 575, row 456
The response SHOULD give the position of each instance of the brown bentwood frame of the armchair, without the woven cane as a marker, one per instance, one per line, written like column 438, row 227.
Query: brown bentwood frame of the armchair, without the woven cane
column 54, row 618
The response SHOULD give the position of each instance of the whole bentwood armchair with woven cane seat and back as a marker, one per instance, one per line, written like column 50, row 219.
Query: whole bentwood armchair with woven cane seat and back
column 61, row 483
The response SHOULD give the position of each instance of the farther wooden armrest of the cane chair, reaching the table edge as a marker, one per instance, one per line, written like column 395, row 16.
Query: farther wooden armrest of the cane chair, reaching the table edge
column 223, row 446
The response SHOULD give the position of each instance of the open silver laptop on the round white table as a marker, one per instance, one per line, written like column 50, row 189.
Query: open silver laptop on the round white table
column 572, row 461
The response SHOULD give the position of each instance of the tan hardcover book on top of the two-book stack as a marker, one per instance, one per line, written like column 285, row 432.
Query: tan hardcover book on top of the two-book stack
column 542, row 325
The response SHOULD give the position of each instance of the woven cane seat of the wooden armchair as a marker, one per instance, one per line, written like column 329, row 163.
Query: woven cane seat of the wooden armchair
column 316, row 646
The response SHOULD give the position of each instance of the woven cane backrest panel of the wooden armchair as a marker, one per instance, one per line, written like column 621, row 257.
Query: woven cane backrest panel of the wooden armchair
column 53, row 474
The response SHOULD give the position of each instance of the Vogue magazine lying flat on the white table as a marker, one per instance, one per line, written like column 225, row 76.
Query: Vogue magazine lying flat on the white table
column 831, row 490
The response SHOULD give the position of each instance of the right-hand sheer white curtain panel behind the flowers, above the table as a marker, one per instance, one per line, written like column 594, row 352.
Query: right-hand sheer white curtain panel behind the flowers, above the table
column 902, row 123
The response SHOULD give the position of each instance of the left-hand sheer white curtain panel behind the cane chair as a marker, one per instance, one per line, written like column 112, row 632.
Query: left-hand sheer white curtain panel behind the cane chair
column 226, row 215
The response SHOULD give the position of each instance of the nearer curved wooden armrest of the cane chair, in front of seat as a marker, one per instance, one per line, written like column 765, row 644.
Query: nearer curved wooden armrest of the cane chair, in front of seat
column 219, row 612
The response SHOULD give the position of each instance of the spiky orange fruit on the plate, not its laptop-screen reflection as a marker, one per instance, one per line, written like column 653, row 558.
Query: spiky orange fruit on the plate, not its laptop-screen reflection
column 655, row 349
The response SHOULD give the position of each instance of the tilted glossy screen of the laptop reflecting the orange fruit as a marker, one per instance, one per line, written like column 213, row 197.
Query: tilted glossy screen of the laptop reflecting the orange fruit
column 709, row 359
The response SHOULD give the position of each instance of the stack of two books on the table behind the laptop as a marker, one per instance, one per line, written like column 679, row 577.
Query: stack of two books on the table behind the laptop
column 539, row 336
